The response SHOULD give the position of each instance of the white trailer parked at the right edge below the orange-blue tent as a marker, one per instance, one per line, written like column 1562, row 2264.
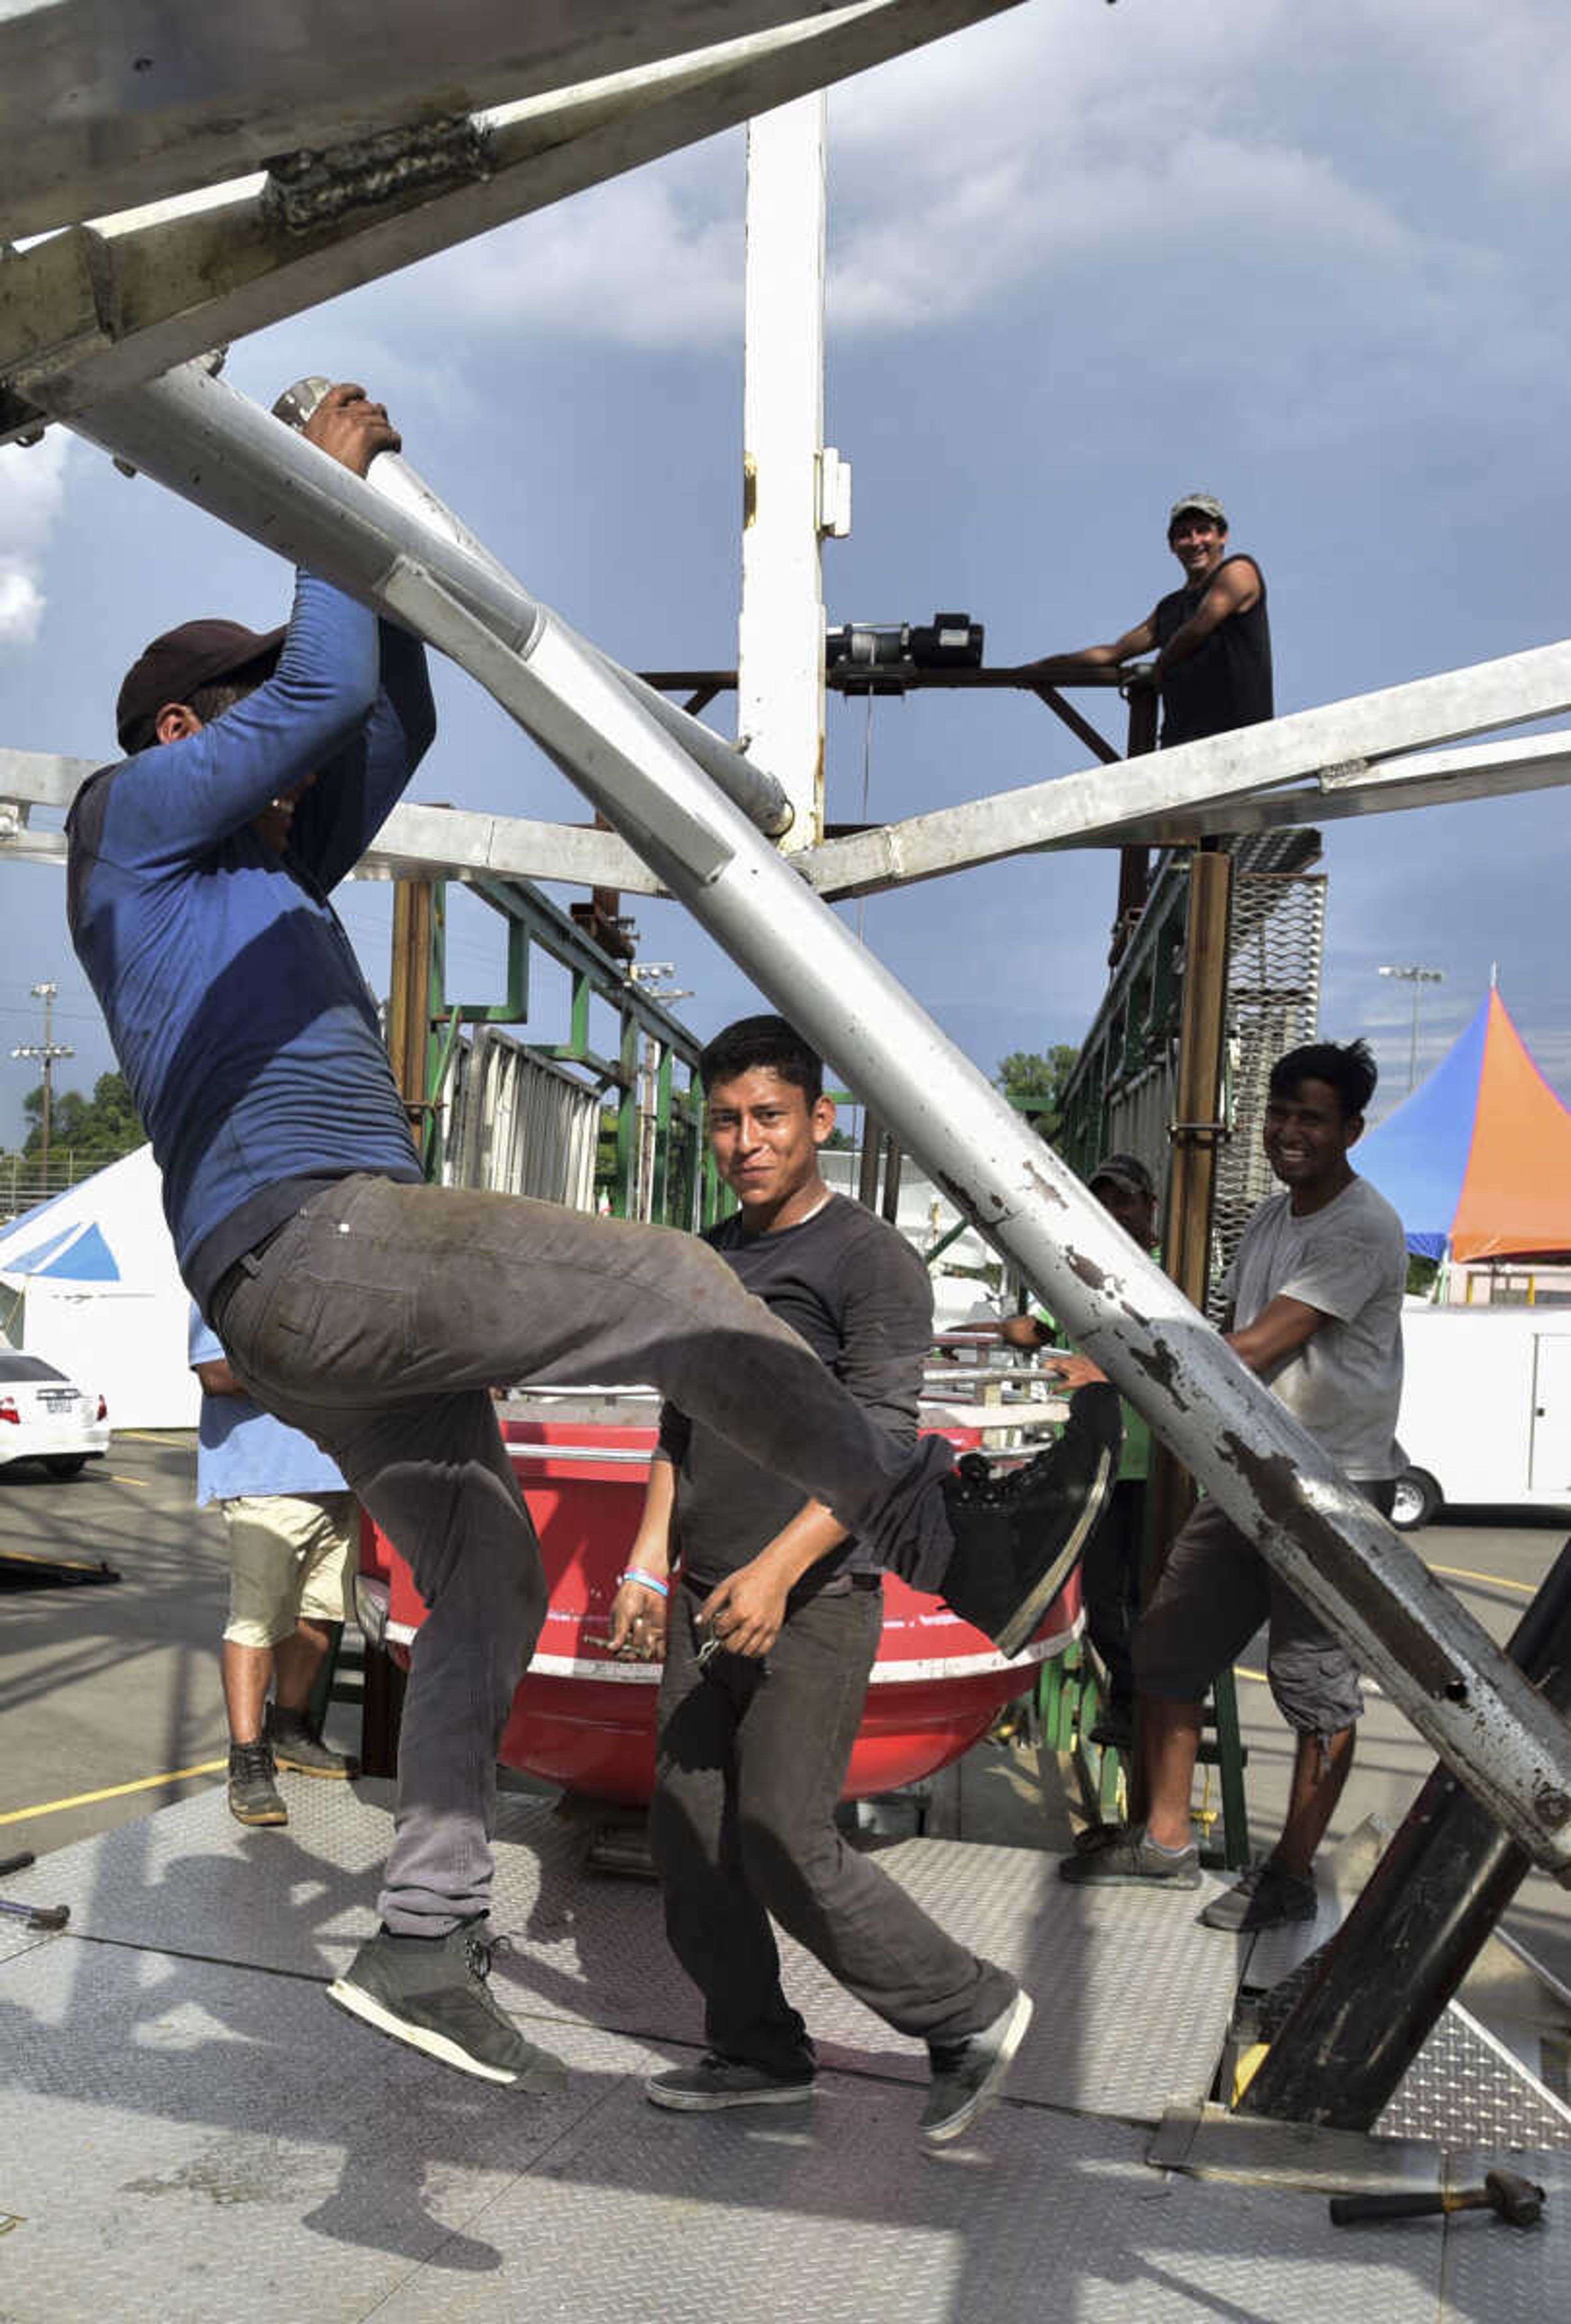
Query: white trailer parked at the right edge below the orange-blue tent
column 1486, row 1410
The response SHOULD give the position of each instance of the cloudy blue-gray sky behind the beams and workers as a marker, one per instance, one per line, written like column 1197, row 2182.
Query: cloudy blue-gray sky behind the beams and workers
column 1082, row 259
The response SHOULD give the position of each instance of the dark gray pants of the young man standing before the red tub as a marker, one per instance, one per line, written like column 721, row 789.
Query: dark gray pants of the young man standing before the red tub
column 743, row 1828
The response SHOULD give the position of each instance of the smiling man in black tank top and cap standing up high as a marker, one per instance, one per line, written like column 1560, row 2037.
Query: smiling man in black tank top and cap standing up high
column 1212, row 638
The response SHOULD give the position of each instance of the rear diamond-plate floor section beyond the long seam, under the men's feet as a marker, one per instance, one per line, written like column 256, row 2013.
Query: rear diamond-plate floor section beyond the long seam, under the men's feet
column 594, row 1949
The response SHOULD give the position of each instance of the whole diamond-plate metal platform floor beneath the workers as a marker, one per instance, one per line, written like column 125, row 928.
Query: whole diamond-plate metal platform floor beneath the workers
column 192, row 2135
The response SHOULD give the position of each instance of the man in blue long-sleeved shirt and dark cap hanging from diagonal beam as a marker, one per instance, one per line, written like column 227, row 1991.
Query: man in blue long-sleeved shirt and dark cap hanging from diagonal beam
column 373, row 1310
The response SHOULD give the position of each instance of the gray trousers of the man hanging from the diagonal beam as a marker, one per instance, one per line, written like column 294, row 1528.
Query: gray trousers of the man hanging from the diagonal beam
column 378, row 1321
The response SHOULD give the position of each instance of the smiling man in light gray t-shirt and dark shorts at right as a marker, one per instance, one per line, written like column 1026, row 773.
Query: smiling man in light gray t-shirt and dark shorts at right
column 1317, row 1312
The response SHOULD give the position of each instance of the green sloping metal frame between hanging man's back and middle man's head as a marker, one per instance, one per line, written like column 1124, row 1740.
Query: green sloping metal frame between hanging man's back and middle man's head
column 684, row 1170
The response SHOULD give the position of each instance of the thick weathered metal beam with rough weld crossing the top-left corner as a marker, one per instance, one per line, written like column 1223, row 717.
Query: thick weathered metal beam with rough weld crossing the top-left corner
column 101, row 308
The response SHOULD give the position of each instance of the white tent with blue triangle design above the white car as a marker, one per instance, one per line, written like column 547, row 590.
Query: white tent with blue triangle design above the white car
column 89, row 1282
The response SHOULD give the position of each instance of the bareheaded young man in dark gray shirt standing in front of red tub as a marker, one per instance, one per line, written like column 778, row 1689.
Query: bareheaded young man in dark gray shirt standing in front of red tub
column 770, row 1637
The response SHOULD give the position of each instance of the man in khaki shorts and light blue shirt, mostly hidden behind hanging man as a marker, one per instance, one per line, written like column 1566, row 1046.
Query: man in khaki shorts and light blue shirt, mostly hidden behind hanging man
column 292, row 1556
